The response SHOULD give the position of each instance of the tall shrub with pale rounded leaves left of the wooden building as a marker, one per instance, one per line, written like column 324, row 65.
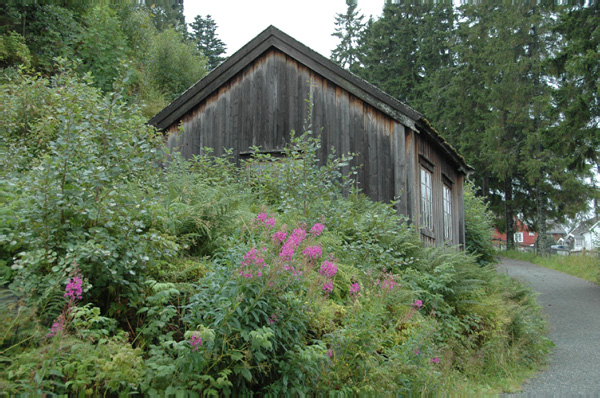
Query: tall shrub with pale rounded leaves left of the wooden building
column 82, row 200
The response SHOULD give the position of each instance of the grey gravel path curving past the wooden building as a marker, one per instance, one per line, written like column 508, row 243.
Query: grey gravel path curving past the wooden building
column 573, row 309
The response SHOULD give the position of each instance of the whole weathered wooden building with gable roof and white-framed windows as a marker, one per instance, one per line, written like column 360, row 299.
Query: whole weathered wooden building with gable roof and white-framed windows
column 258, row 96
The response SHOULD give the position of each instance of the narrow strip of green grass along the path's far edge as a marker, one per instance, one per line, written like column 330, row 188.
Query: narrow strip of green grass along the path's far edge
column 584, row 266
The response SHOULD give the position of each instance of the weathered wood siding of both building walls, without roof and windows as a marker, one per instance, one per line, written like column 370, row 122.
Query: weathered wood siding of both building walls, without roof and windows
column 264, row 102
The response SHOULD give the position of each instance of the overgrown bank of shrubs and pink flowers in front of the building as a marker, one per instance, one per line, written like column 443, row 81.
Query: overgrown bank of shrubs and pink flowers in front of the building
column 134, row 271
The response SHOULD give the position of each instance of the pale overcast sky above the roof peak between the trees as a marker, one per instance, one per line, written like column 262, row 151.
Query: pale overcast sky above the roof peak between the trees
column 311, row 22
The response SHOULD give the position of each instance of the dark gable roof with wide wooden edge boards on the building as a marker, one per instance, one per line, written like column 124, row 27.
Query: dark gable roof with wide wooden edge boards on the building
column 274, row 38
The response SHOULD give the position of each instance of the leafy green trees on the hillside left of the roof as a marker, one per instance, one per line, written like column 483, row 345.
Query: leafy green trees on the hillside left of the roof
column 118, row 46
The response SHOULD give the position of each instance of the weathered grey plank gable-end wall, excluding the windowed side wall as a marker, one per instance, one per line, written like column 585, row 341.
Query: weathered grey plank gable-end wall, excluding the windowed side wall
column 264, row 103
